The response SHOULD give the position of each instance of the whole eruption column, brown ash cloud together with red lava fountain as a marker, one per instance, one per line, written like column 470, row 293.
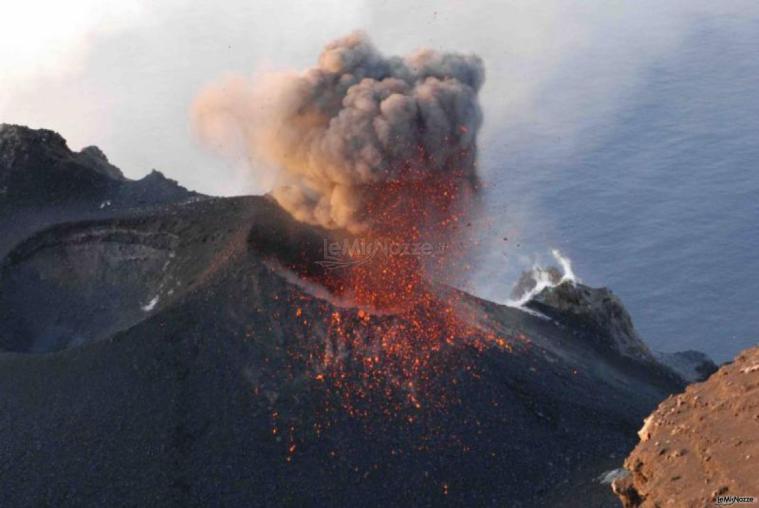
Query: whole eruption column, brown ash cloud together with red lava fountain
column 382, row 150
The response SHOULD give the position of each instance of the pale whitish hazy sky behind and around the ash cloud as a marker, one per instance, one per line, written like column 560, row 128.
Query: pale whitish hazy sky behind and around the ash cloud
column 122, row 75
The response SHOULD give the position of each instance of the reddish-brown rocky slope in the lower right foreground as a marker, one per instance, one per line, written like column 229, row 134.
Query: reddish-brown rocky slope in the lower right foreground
column 700, row 445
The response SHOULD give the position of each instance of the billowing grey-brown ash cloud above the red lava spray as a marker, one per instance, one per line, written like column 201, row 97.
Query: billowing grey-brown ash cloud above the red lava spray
column 356, row 127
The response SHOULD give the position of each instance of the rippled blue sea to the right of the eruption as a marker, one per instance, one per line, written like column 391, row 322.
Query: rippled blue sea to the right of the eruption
column 660, row 202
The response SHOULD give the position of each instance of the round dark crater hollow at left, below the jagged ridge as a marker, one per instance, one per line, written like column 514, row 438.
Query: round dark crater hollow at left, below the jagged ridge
column 72, row 285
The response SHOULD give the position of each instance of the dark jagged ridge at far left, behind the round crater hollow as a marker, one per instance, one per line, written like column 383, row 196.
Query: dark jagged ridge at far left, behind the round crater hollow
column 42, row 182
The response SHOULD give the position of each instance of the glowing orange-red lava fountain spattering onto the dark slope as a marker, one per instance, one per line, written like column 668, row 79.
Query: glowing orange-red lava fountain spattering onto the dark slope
column 392, row 347
